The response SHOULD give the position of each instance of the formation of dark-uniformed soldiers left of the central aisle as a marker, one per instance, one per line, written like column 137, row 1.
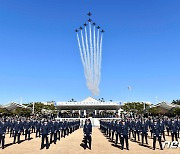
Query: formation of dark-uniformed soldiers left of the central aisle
column 49, row 130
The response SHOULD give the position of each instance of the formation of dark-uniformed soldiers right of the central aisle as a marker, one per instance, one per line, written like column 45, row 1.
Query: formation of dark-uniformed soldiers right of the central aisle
column 125, row 129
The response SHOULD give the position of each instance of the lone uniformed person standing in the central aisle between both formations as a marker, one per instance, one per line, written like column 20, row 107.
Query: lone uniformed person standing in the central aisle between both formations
column 87, row 133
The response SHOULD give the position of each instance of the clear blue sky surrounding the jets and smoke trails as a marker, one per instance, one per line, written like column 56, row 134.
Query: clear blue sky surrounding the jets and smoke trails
column 40, row 61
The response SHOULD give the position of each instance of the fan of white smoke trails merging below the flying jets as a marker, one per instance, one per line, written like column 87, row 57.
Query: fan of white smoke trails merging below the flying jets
column 90, row 48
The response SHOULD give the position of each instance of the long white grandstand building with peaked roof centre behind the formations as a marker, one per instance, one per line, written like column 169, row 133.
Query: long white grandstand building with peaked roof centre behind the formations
column 89, row 107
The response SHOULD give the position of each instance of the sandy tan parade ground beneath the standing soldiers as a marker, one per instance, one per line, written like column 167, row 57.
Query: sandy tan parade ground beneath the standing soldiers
column 72, row 144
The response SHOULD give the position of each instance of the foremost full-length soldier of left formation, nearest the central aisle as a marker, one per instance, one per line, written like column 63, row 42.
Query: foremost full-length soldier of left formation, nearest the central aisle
column 45, row 133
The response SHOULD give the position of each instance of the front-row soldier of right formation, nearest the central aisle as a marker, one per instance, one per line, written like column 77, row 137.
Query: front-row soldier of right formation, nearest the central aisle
column 124, row 135
